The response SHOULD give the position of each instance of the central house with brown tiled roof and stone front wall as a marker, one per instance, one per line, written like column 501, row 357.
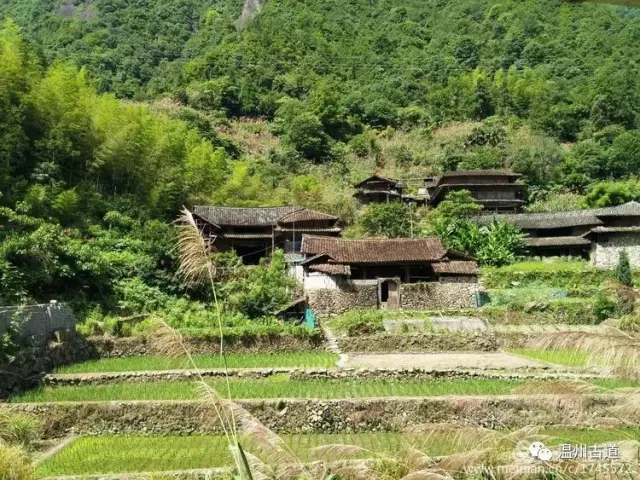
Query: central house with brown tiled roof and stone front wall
column 341, row 274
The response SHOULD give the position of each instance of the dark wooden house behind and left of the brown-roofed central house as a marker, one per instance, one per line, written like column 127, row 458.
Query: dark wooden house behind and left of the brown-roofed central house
column 254, row 233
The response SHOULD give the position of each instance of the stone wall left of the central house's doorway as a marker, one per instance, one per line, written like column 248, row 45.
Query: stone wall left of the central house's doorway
column 348, row 296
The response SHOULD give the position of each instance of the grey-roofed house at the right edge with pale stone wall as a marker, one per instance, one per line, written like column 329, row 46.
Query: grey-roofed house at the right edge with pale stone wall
column 599, row 234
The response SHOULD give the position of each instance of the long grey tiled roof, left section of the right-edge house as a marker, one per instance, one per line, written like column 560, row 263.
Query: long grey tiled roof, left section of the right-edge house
column 545, row 220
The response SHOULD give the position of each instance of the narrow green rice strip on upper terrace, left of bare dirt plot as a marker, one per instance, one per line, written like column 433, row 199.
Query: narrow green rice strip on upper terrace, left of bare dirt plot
column 250, row 360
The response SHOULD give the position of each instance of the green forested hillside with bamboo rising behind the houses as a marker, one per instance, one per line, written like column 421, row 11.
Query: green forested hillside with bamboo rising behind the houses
column 115, row 113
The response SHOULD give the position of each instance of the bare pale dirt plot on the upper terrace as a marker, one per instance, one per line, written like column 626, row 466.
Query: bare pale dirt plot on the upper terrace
column 439, row 360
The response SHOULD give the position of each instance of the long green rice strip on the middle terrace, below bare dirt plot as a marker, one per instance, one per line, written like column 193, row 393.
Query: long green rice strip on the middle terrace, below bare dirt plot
column 280, row 387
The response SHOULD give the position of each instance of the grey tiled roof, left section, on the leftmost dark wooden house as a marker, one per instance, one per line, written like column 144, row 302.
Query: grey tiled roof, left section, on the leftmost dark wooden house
column 239, row 216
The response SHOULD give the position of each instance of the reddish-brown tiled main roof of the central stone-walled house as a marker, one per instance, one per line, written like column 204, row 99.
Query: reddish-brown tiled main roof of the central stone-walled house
column 375, row 251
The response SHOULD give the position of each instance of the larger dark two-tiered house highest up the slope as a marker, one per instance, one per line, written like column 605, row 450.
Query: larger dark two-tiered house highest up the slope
column 496, row 190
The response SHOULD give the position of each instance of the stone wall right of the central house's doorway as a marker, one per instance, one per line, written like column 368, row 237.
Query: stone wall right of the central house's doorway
column 451, row 294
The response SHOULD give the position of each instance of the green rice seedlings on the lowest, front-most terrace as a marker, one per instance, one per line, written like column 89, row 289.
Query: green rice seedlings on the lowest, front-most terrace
column 120, row 454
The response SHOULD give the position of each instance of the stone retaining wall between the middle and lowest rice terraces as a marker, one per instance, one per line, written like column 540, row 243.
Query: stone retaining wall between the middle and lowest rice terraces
column 319, row 416
